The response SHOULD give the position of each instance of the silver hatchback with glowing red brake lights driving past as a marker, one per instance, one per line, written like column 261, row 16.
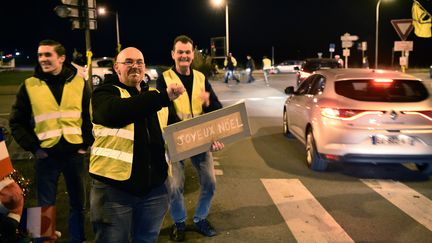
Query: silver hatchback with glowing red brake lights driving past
column 361, row 115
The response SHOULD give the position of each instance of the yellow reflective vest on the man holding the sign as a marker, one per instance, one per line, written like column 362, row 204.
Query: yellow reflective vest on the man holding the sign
column 183, row 103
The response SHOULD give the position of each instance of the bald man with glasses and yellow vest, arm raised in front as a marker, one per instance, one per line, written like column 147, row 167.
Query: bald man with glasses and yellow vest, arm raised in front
column 129, row 197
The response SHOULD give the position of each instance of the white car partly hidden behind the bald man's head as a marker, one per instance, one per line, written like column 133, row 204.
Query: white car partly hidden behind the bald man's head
column 104, row 65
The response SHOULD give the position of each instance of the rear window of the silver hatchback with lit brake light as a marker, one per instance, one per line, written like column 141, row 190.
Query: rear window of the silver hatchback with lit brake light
column 371, row 90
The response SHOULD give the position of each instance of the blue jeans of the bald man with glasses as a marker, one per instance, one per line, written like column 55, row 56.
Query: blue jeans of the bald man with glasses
column 118, row 216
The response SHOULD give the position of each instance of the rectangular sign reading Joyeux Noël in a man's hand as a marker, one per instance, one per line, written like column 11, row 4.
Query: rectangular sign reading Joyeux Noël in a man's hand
column 194, row 136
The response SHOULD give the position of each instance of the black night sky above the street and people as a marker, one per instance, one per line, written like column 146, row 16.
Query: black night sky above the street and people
column 296, row 29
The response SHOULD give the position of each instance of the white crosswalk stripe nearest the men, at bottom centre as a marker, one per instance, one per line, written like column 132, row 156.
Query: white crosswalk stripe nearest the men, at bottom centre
column 304, row 215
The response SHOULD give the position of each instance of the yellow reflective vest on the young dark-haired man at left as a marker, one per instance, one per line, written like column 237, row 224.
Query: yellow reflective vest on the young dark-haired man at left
column 52, row 121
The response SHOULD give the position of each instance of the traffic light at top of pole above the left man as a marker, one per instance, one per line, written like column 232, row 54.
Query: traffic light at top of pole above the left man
column 79, row 11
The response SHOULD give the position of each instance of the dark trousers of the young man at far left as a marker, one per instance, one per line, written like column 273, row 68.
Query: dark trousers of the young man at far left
column 74, row 171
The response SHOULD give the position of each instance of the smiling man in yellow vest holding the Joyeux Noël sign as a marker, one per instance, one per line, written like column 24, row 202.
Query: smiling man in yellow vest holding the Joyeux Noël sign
column 199, row 98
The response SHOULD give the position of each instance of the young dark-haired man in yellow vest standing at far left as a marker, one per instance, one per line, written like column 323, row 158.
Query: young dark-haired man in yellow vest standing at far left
column 51, row 119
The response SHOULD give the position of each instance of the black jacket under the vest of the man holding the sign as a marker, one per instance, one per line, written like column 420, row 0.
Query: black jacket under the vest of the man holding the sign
column 187, row 82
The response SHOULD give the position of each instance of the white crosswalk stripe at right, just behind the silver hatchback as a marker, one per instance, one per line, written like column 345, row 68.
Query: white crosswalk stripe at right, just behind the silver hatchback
column 406, row 199
